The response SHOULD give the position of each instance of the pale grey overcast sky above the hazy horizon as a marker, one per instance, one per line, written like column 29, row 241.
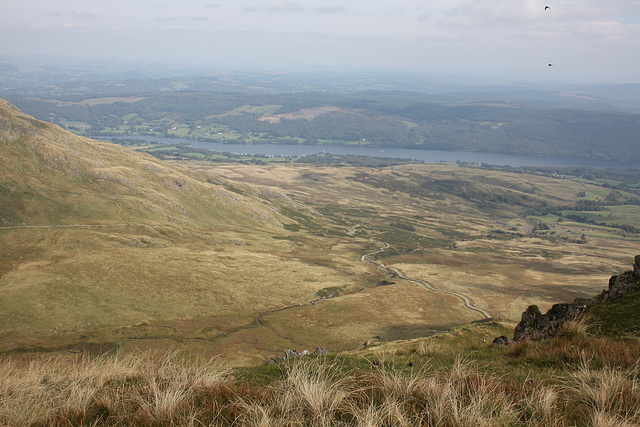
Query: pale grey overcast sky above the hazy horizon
column 585, row 40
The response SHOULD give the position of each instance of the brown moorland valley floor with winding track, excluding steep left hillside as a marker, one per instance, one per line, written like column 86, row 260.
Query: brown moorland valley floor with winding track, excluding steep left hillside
column 250, row 294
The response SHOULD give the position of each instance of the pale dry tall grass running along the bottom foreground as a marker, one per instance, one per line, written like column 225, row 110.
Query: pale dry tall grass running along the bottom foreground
column 176, row 389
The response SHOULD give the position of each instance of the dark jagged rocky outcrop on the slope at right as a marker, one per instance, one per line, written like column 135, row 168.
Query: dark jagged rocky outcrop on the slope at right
column 537, row 326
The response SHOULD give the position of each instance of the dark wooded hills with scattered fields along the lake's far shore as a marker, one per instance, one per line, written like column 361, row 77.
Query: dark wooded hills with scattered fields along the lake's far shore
column 527, row 122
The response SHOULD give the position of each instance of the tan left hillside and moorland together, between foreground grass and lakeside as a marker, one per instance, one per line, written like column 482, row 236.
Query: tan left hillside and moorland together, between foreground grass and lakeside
column 155, row 253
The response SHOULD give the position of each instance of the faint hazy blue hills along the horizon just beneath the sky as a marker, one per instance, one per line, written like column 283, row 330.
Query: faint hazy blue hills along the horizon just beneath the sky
column 48, row 77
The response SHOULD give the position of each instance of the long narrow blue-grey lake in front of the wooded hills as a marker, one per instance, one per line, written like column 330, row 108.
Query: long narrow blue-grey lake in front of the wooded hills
column 429, row 156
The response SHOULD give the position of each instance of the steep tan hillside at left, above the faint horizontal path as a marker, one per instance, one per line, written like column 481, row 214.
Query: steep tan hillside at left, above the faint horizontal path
column 51, row 177
